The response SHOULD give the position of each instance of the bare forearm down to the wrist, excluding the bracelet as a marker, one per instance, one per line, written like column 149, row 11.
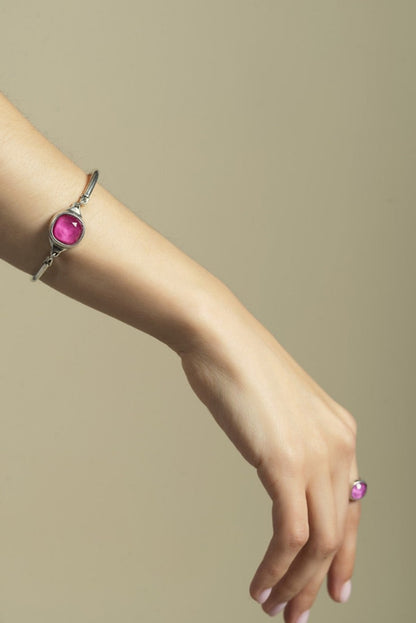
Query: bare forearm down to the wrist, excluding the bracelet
column 122, row 267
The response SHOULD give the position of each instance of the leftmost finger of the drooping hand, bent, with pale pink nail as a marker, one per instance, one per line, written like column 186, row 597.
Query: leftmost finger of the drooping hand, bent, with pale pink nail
column 290, row 533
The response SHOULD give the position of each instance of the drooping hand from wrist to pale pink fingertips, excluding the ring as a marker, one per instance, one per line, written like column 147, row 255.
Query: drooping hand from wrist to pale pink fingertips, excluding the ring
column 302, row 444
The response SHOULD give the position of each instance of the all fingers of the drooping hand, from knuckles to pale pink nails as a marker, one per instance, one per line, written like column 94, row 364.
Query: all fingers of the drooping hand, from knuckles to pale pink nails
column 314, row 533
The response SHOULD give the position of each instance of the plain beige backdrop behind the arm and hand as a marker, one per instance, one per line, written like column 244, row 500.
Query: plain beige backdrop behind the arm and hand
column 274, row 142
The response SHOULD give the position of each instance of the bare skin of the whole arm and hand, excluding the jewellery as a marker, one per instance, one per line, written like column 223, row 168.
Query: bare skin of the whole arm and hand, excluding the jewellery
column 301, row 442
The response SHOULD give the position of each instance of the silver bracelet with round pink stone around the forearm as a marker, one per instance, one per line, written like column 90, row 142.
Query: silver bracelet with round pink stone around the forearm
column 66, row 229
